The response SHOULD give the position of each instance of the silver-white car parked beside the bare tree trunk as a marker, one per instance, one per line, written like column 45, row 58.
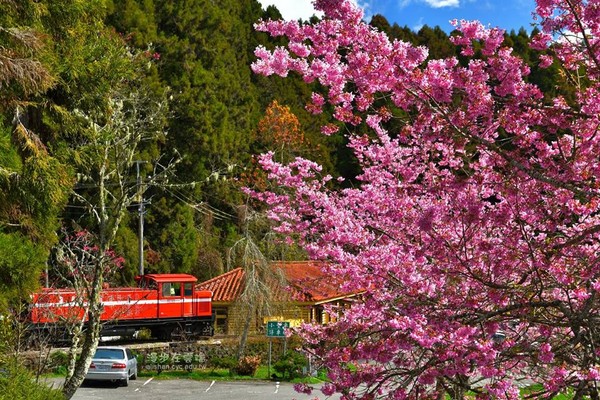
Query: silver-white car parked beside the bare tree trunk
column 116, row 364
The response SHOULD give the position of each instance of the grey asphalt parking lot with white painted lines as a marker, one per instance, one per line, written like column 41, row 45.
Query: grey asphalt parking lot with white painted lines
column 184, row 389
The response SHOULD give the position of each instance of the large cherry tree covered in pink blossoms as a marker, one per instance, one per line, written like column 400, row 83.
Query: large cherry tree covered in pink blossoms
column 474, row 226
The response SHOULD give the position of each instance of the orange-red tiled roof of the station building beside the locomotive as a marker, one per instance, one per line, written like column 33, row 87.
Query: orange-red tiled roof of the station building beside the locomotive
column 306, row 280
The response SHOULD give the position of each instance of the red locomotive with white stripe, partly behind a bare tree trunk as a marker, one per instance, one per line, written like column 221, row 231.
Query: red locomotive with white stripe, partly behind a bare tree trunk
column 163, row 303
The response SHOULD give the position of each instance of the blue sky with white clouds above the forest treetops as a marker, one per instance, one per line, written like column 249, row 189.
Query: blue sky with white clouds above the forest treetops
column 507, row 14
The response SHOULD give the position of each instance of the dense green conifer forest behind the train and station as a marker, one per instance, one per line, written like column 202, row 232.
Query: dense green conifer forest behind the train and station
column 179, row 73
